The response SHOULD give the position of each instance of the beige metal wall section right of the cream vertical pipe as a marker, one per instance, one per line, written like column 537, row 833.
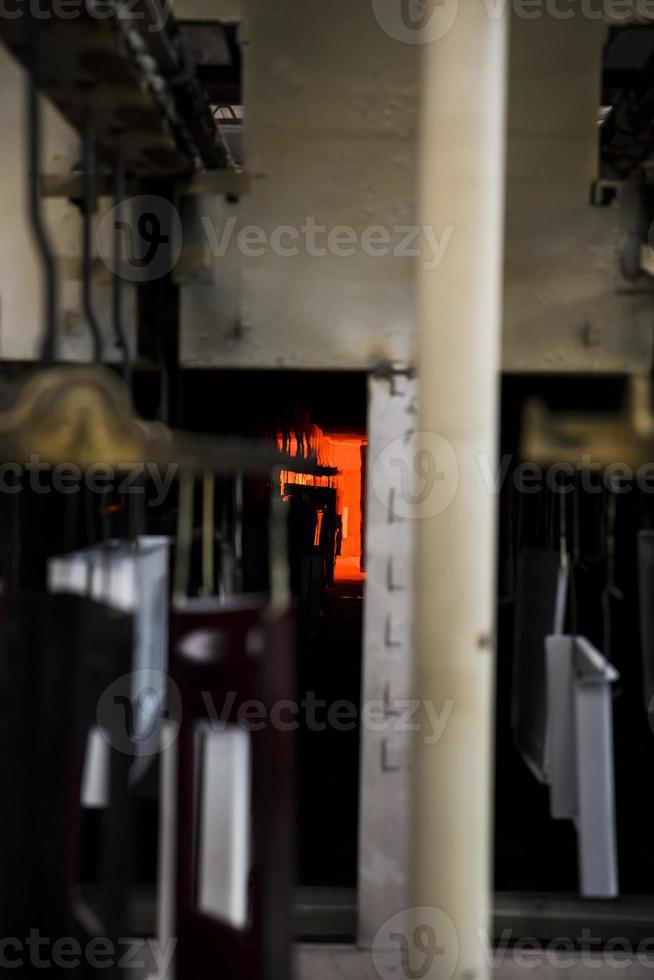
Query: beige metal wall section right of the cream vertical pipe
column 566, row 306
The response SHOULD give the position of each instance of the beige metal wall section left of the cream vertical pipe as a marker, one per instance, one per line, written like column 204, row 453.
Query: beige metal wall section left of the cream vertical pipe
column 330, row 135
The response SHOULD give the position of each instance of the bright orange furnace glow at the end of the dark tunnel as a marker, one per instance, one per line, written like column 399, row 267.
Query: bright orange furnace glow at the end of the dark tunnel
column 342, row 452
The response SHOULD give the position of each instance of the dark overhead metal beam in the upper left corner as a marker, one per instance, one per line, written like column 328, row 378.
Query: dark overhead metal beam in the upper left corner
column 130, row 69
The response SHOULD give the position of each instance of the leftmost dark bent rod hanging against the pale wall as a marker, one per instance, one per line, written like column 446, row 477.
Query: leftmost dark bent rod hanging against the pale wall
column 48, row 262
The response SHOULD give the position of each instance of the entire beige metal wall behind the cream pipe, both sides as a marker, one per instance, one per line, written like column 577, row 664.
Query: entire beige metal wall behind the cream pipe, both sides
column 330, row 133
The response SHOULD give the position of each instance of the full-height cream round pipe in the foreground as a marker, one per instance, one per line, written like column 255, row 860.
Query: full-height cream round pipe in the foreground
column 462, row 180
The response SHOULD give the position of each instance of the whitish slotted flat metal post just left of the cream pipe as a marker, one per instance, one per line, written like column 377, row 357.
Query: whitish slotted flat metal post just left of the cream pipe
column 387, row 659
